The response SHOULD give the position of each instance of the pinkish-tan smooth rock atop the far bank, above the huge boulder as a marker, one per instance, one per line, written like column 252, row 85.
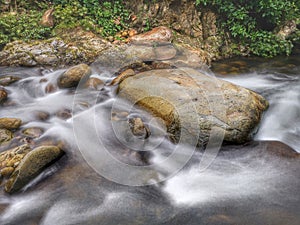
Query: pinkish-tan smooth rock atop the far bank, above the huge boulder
column 157, row 34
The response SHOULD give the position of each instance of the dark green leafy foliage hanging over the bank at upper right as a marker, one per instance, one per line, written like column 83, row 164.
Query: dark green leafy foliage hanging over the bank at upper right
column 252, row 22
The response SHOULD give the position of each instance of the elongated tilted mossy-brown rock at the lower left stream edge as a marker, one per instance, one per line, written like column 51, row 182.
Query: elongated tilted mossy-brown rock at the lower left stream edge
column 31, row 165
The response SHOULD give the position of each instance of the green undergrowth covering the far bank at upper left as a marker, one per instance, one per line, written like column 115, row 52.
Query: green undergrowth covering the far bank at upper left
column 21, row 19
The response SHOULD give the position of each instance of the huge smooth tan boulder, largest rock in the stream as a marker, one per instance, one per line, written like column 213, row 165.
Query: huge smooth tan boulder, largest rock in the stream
column 192, row 104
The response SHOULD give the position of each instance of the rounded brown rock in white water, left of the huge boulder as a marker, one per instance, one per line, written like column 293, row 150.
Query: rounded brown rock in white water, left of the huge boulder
column 72, row 76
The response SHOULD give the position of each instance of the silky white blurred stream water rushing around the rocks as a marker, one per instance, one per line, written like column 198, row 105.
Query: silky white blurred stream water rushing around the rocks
column 244, row 185
